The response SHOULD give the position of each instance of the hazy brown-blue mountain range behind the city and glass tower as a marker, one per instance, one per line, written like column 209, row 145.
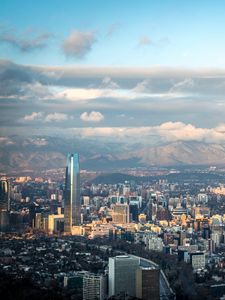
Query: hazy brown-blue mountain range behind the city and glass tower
column 42, row 153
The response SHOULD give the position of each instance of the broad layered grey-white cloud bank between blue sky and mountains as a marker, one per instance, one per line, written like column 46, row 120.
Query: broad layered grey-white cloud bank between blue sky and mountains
column 179, row 99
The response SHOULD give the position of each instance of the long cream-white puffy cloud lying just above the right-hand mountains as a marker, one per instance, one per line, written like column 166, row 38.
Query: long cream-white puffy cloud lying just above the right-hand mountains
column 165, row 132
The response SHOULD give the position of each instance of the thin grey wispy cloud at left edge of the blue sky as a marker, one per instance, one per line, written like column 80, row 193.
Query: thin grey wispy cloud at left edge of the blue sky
column 24, row 42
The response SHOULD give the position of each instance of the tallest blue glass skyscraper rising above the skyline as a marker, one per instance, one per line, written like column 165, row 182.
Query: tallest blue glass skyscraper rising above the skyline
column 72, row 193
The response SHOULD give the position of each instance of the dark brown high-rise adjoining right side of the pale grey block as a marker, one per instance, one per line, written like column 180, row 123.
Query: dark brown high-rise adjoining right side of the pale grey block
column 147, row 283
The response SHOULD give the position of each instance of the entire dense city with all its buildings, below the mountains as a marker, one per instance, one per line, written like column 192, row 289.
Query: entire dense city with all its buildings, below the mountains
column 75, row 239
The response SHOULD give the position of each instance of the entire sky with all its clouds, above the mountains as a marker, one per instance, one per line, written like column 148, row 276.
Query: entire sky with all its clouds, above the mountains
column 113, row 68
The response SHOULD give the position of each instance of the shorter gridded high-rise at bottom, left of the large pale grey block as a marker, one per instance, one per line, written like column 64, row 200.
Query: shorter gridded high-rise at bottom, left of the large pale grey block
column 94, row 287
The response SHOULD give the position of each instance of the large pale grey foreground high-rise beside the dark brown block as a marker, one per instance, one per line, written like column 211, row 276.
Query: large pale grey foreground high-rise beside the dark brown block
column 122, row 275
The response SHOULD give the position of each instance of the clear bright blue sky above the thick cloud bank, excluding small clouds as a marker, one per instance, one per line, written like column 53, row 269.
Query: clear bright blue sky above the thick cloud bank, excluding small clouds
column 180, row 33
